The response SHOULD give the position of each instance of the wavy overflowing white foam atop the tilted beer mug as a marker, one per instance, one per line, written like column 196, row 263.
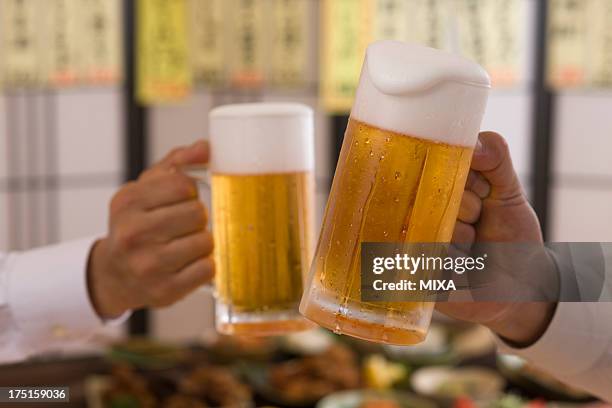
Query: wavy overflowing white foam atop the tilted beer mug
column 421, row 92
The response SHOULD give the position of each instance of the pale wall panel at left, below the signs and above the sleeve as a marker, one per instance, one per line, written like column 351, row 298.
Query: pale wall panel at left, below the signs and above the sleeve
column 64, row 160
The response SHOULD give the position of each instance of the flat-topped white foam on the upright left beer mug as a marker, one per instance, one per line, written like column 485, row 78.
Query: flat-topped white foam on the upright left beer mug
column 259, row 138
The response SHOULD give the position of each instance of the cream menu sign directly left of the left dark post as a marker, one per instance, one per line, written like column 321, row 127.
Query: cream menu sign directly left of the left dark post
column 101, row 47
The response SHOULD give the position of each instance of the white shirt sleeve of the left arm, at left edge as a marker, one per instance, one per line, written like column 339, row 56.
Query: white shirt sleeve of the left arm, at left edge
column 44, row 299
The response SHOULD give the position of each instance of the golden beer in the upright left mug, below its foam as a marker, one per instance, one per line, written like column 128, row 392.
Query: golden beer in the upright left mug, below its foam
column 263, row 229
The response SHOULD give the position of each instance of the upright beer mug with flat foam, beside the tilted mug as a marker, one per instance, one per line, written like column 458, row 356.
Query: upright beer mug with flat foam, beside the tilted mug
column 262, row 186
